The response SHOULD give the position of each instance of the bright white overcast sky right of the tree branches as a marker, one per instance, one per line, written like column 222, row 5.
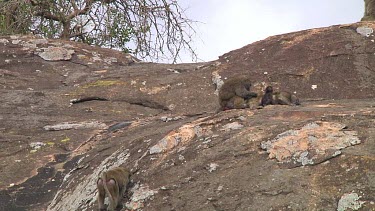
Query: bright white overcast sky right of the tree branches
column 231, row 24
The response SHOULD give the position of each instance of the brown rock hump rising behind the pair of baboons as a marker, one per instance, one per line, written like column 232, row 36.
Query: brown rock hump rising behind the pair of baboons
column 333, row 63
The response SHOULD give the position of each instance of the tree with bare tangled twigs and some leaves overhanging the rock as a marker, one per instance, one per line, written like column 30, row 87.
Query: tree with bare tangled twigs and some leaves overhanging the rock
column 153, row 27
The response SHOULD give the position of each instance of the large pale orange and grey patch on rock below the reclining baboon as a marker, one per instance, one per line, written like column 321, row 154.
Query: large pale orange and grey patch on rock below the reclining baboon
column 314, row 143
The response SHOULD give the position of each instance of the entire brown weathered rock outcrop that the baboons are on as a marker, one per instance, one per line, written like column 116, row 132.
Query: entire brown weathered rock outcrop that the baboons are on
column 64, row 121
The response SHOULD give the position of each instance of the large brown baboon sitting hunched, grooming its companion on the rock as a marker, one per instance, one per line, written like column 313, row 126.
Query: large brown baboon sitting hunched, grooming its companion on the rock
column 235, row 93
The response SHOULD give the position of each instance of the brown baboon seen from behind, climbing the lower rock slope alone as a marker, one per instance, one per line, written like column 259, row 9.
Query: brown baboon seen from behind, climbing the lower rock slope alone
column 113, row 184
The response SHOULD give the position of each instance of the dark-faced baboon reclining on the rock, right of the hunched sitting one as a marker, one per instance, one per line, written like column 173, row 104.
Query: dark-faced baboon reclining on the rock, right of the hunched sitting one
column 278, row 98
